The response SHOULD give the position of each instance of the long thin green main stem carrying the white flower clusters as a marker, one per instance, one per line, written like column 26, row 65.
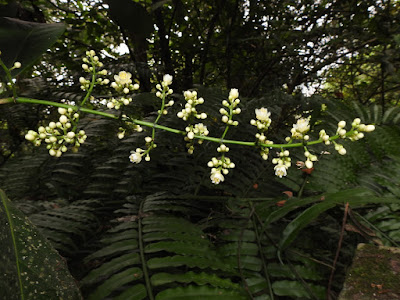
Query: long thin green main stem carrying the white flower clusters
column 172, row 130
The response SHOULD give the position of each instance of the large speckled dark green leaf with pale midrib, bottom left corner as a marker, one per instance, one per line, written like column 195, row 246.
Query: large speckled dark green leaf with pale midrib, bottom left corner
column 30, row 267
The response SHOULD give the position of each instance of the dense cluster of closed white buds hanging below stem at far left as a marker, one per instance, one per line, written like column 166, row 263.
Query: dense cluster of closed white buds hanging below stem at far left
column 59, row 135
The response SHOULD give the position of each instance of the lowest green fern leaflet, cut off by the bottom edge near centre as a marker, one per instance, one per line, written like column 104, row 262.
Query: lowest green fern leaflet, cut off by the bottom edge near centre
column 198, row 292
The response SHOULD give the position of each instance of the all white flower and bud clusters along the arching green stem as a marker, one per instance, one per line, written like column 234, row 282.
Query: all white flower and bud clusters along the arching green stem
column 60, row 135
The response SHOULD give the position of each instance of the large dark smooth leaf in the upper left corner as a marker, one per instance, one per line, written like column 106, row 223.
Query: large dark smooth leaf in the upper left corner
column 25, row 41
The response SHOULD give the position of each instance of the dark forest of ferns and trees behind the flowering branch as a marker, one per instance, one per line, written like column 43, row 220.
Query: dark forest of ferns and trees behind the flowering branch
column 161, row 229
